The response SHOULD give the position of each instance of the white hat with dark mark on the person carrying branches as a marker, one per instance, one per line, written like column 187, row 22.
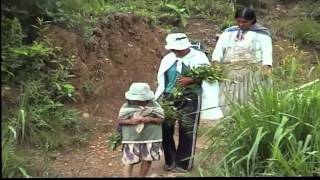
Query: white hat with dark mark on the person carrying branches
column 177, row 41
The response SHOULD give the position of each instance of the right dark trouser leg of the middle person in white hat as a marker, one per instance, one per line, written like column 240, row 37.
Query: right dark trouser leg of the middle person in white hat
column 188, row 128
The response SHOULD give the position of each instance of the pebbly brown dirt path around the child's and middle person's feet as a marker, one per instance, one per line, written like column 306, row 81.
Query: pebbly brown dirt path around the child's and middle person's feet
column 97, row 160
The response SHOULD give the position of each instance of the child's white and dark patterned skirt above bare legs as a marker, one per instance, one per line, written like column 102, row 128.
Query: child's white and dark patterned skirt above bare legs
column 133, row 153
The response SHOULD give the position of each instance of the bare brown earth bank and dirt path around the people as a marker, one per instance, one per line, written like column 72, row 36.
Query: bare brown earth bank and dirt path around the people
column 125, row 49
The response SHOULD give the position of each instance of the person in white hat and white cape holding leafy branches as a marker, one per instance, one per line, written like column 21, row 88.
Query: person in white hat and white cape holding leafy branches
column 181, row 58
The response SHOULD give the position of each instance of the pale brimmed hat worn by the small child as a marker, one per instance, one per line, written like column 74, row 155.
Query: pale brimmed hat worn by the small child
column 139, row 92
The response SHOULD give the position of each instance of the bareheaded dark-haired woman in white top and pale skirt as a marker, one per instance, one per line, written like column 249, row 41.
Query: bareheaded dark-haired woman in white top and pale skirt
column 246, row 51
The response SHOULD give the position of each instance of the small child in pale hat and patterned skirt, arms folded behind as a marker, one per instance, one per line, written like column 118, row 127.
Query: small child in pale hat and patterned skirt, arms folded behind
column 140, row 119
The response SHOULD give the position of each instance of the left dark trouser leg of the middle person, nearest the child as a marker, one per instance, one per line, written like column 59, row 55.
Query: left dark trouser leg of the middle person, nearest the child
column 168, row 144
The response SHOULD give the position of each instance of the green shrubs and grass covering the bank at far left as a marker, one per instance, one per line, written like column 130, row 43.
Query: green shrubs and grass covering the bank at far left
column 40, row 119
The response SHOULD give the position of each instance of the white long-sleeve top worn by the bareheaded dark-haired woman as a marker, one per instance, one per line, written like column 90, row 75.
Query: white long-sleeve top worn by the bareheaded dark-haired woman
column 260, row 42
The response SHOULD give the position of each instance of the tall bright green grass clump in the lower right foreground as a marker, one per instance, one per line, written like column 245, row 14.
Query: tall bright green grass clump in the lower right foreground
column 274, row 134
